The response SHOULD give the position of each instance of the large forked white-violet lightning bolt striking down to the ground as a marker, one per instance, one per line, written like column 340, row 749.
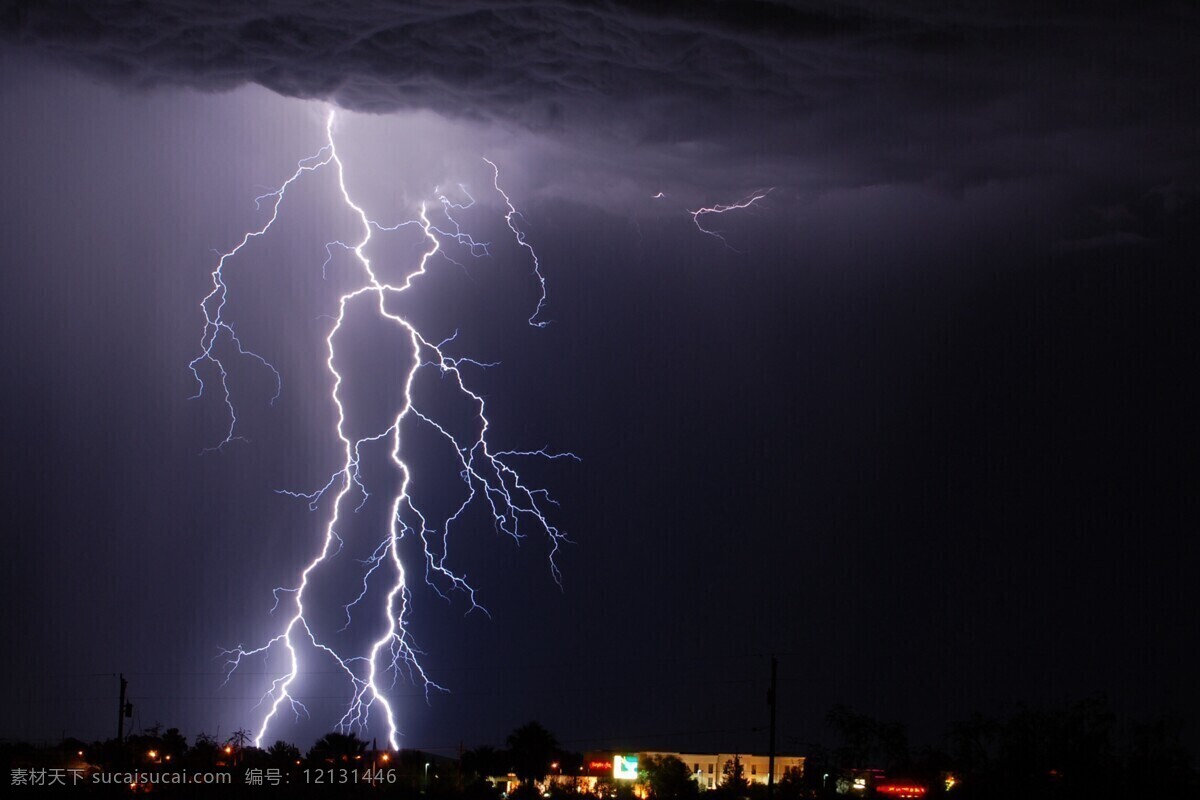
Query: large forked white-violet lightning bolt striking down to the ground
column 488, row 476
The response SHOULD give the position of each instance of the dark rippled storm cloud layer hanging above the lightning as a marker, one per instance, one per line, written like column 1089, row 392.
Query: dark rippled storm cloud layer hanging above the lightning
column 847, row 94
